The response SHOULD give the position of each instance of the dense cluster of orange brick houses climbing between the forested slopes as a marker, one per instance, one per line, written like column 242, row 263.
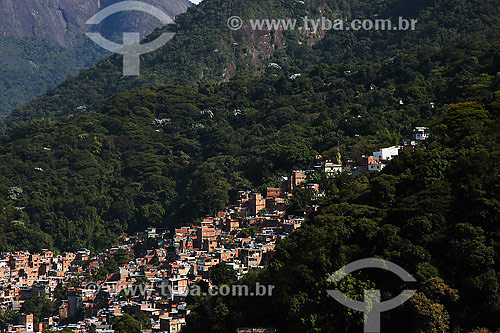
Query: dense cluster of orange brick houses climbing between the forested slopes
column 243, row 237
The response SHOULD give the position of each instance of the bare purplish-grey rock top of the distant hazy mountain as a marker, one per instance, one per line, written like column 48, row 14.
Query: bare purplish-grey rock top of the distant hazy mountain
column 60, row 21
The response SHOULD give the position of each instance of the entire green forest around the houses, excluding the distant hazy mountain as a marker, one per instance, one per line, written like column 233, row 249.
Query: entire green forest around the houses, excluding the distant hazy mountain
column 101, row 156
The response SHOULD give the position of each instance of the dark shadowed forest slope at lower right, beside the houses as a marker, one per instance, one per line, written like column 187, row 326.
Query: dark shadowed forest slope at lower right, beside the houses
column 435, row 212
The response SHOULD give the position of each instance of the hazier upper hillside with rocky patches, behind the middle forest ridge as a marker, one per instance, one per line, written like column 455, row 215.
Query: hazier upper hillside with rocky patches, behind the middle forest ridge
column 205, row 50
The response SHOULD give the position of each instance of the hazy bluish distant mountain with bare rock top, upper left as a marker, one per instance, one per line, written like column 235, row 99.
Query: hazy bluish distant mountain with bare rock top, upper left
column 42, row 43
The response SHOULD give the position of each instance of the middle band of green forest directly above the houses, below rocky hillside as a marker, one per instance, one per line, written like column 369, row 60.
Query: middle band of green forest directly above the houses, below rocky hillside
column 171, row 154
